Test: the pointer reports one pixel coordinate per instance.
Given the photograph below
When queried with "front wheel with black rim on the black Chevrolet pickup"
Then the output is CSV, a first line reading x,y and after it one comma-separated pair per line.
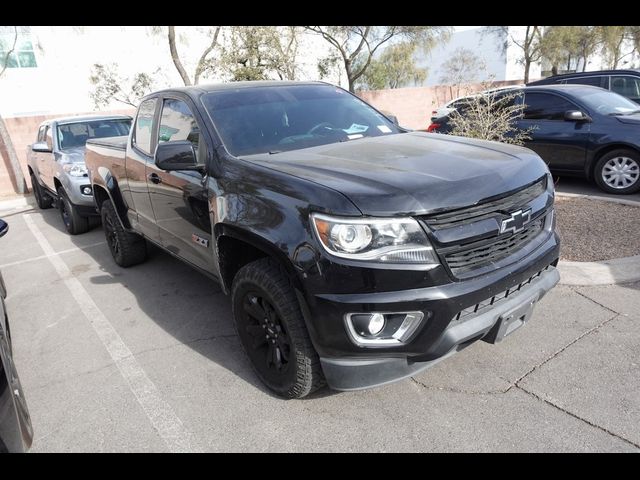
x,y
272,331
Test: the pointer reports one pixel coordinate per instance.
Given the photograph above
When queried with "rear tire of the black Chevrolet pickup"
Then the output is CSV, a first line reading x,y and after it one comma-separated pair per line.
x,y
127,248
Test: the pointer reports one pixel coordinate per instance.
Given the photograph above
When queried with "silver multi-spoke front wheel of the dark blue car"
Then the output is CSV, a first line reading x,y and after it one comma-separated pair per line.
x,y
618,172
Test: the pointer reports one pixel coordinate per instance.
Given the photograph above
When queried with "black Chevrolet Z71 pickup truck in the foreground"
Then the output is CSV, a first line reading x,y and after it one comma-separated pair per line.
x,y
356,253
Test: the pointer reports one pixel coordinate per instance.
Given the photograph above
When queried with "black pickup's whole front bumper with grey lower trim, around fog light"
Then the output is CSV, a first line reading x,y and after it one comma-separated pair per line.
x,y
348,366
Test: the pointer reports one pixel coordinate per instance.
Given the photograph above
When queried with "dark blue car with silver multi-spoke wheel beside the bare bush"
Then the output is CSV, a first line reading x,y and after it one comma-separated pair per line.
x,y
584,131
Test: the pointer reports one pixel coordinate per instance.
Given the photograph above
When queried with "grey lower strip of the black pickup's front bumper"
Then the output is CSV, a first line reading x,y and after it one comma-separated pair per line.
x,y
357,373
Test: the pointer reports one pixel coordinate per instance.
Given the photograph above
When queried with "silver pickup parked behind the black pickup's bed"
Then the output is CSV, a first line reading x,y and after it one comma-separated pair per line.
x,y
57,170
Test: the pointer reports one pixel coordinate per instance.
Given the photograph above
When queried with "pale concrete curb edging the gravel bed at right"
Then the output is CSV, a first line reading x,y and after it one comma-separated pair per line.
x,y
607,272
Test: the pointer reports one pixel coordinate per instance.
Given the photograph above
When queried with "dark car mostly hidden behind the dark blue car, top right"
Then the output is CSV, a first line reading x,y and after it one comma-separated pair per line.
x,y
623,82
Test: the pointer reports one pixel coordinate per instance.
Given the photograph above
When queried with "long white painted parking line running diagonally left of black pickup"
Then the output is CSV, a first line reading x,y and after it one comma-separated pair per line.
x,y
162,417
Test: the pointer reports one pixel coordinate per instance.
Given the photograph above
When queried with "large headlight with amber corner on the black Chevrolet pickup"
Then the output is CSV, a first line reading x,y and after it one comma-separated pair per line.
x,y
381,240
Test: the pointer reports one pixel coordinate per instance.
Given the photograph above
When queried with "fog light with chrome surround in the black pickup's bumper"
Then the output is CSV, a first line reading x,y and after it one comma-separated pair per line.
x,y
382,329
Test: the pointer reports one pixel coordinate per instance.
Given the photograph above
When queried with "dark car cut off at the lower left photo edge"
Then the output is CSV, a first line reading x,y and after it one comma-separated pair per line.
x,y
16,432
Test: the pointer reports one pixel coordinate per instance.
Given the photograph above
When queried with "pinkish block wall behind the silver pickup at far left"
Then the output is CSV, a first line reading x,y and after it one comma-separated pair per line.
x,y
23,131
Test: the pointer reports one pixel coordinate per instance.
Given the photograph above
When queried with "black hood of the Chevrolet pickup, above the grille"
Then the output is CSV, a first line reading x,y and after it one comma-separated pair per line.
x,y
411,173
